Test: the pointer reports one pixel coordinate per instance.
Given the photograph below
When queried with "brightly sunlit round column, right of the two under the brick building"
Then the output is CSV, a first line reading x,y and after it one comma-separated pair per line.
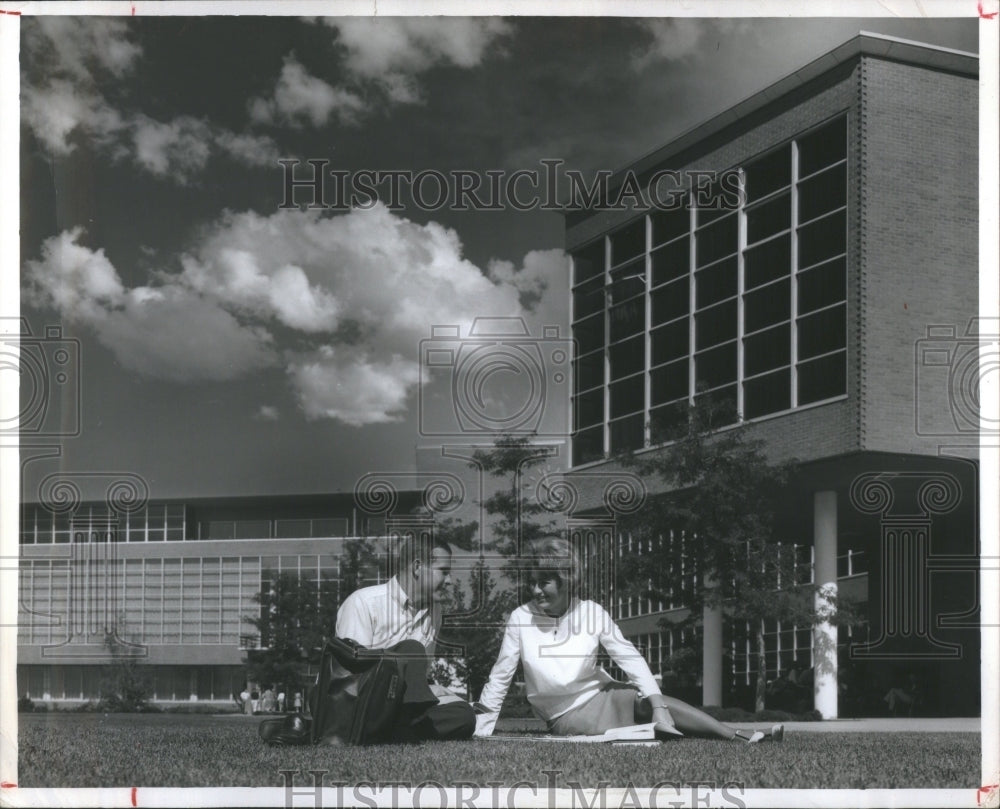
x,y
825,633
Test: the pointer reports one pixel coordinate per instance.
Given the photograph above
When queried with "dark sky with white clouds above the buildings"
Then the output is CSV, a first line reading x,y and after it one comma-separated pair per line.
x,y
228,346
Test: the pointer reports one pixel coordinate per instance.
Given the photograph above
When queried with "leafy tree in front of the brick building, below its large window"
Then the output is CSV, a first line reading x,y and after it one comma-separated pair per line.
x,y
713,536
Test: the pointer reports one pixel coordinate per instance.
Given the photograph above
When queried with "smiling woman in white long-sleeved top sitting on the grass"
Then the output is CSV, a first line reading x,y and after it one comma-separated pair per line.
x,y
556,637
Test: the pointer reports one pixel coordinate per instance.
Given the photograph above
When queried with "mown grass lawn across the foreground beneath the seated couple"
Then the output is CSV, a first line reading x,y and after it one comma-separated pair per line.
x,y
163,750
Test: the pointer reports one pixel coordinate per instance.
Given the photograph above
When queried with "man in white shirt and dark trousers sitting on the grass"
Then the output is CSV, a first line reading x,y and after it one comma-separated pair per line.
x,y
401,617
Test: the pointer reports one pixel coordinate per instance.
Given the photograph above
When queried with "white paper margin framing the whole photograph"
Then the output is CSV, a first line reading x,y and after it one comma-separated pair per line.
x,y
989,291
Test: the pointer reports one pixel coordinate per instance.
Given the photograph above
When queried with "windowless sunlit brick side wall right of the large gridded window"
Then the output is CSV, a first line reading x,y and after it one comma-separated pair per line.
x,y
919,256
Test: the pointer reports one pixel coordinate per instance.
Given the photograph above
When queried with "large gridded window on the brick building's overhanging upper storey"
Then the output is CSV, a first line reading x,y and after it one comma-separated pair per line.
x,y
745,303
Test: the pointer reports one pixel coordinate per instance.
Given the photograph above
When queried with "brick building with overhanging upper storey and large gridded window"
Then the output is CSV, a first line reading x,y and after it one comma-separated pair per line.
x,y
830,299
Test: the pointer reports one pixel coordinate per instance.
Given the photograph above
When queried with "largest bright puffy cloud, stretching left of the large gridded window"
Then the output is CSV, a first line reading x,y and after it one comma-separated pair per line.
x,y
342,301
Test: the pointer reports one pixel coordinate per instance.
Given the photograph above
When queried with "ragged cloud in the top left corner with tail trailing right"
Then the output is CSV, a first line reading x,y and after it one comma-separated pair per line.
x,y
69,61
